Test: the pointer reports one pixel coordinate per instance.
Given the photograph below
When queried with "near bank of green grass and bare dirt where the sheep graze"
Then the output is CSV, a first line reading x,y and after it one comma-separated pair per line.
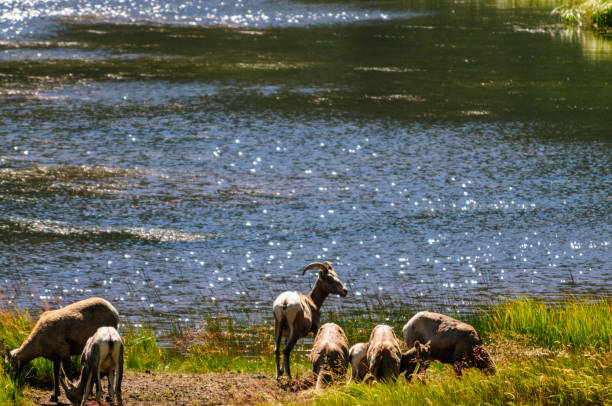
x,y
545,354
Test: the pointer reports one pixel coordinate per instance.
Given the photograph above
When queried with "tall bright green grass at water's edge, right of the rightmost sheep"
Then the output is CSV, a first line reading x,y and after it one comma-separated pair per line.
x,y
576,323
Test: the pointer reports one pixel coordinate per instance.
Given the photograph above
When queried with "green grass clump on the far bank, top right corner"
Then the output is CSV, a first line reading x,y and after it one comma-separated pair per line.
x,y
596,14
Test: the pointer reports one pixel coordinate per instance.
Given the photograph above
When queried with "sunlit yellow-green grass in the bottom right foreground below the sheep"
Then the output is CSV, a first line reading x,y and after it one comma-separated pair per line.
x,y
541,381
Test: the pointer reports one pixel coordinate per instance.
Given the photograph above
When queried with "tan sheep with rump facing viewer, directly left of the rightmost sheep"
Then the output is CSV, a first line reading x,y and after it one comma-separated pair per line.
x,y
383,354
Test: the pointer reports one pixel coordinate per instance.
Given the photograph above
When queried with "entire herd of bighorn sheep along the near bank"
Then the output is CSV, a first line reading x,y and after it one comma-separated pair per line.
x,y
89,328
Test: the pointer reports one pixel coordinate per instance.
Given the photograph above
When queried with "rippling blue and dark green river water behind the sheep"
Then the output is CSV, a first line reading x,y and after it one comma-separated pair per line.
x,y
186,159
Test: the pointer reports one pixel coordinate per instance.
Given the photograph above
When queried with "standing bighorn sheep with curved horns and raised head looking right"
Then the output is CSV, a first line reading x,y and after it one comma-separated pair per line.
x,y
296,314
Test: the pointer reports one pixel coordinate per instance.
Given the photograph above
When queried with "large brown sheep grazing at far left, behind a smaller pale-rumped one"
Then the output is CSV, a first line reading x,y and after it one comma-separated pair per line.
x,y
60,333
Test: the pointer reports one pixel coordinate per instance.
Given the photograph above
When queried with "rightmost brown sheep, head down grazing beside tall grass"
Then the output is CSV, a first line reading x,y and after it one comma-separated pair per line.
x,y
447,340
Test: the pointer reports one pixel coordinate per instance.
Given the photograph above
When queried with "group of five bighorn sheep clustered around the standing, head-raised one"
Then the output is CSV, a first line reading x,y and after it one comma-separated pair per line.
x,y
429,336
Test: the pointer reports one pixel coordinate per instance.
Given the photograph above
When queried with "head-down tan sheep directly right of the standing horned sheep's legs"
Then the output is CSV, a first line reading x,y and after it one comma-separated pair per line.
x,y
329,354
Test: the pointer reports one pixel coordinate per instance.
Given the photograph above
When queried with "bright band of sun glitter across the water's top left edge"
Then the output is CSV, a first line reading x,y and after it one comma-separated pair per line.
x,y
28,18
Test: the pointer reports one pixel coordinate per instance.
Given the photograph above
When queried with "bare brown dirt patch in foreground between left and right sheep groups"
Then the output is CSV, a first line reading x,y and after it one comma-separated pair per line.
x,y
184,389
